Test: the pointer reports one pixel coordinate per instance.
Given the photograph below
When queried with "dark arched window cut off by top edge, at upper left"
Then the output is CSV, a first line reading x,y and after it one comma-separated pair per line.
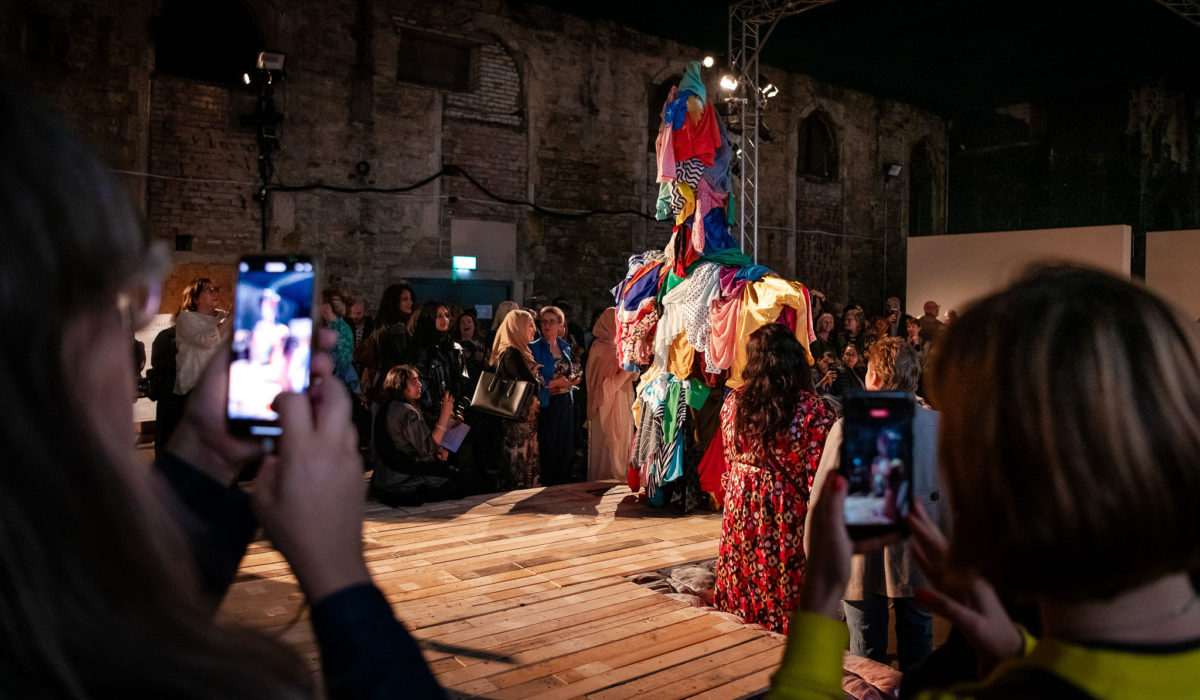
x,y
215,41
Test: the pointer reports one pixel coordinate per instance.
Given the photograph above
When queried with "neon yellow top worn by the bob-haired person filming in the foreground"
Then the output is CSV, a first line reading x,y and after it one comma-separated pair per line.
x,y
813,666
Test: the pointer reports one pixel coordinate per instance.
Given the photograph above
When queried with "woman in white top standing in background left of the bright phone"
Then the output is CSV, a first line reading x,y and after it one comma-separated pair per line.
x,y
200,331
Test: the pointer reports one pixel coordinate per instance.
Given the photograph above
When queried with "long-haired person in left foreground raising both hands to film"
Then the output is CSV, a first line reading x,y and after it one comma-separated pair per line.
x,y
111,571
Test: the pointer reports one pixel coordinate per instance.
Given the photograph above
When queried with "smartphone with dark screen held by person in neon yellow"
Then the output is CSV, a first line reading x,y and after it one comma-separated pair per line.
x,y
877,462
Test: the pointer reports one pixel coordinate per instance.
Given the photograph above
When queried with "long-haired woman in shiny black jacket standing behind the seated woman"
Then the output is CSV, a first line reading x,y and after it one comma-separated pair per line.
x,y
440,361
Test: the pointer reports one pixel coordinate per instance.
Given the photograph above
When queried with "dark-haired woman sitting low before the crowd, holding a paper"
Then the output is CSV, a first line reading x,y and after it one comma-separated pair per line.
x,y
410,470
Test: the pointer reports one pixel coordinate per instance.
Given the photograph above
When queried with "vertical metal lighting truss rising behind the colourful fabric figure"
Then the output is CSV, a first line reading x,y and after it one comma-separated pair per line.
x,y
752,23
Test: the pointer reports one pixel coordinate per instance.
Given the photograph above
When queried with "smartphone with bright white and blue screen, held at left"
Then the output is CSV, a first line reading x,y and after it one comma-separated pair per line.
x,y
273,339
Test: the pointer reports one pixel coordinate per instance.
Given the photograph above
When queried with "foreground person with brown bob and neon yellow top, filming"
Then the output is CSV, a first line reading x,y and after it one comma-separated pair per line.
x,y
1079,499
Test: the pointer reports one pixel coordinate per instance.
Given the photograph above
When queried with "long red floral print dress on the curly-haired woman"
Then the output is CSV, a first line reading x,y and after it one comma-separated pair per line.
x,y
760,566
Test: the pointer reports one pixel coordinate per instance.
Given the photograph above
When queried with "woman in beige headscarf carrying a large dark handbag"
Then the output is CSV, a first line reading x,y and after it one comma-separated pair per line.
x,y
513,360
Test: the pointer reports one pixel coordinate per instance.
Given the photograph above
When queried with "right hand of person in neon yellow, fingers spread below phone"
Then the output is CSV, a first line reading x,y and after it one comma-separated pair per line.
x,y
968,602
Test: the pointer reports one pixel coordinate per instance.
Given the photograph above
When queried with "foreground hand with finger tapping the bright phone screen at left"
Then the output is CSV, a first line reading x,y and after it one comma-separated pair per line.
x,y
310,495
